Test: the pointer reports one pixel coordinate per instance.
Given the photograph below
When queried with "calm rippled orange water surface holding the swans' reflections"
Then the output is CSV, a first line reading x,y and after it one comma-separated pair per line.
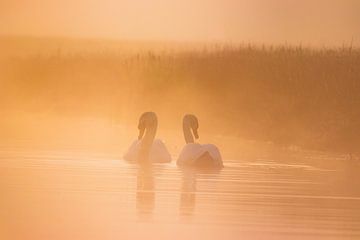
x,y
82,194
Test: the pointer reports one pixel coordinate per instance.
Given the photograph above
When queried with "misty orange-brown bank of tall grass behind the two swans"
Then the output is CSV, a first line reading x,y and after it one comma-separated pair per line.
x,y
285,94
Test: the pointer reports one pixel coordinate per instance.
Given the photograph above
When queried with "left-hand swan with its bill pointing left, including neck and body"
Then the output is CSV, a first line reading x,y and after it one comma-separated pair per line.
x,y
146,149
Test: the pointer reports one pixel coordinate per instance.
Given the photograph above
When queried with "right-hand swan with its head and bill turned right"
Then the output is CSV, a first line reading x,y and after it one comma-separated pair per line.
x,y
195,154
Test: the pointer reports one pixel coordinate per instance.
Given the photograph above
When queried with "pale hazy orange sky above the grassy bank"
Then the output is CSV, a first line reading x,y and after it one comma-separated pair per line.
x,y
324,22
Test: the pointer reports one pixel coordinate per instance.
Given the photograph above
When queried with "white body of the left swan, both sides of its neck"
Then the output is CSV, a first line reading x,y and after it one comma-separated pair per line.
x,y
158,152
